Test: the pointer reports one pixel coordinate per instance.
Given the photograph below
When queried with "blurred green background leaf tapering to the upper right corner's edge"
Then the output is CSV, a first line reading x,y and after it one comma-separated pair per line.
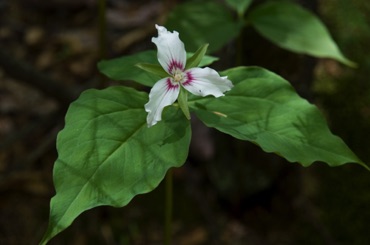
x,y
291,27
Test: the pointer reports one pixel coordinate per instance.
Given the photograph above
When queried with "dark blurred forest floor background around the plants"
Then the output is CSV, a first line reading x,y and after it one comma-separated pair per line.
x,y
228,192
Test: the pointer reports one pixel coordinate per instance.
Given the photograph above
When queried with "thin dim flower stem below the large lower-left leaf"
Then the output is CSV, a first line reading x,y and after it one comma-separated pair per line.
x,y
168,208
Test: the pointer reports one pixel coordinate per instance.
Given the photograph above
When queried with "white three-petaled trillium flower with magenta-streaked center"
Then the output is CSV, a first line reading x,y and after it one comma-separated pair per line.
x,y
198,81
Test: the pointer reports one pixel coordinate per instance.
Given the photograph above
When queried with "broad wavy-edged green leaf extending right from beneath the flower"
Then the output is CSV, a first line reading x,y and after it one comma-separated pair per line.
x,y
263,108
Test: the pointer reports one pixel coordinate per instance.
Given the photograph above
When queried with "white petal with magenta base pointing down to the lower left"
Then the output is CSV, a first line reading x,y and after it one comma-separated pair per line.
x,y
162,94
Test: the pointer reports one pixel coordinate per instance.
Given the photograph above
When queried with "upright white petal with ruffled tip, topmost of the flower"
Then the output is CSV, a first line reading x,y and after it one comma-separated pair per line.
x,y
171,50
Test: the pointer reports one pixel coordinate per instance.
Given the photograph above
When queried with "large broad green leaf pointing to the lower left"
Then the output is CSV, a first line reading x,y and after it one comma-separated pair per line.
x,y
107,154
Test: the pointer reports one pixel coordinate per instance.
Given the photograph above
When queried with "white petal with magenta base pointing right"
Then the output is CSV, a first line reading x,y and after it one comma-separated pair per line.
x,y
206,81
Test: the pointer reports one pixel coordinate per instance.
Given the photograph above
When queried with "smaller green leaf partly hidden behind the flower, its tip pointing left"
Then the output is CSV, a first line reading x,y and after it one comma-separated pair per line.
x,y
125,67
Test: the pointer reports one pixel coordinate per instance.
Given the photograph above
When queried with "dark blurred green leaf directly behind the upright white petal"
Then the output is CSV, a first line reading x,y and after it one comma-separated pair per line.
x,y
200,22
